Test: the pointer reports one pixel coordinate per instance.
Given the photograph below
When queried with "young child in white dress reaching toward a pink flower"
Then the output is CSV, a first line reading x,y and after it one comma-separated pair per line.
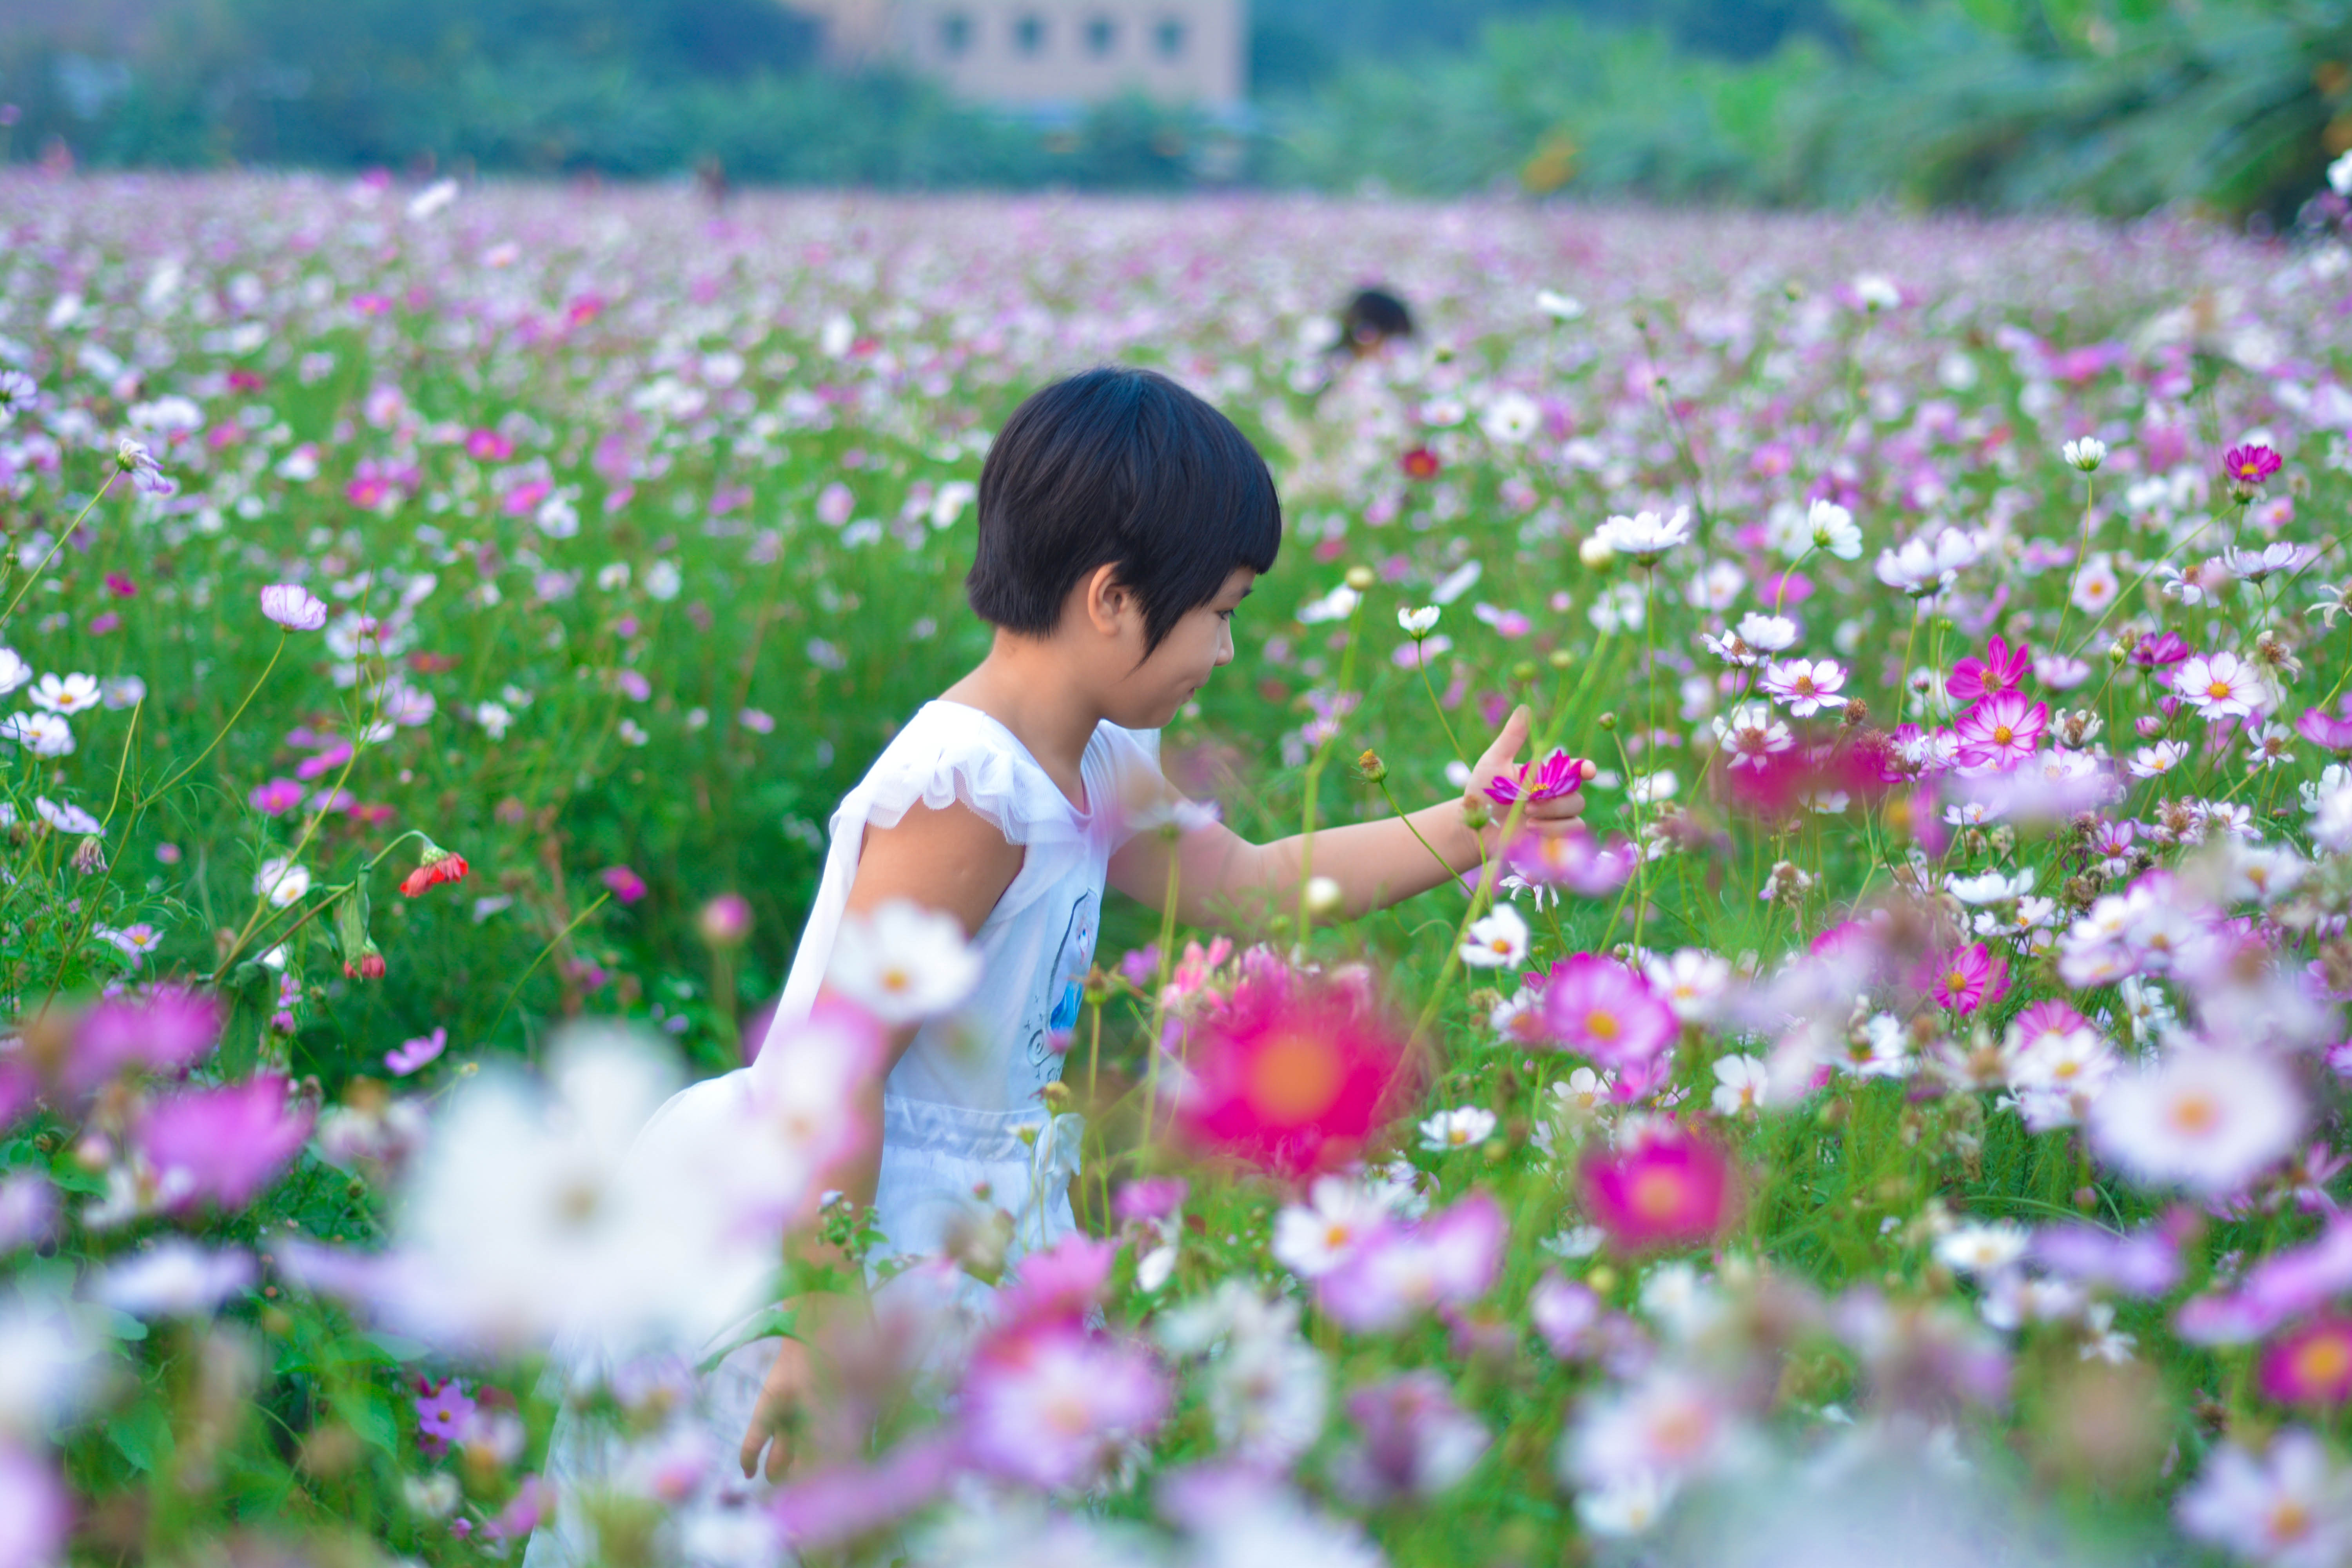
x,y
1121,525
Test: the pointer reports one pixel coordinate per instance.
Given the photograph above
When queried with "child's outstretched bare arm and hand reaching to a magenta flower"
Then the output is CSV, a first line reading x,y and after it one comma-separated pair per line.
x,y
1224,878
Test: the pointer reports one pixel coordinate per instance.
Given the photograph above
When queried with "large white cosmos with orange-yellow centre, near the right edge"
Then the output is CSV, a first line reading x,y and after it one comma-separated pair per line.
x,y
2198,1118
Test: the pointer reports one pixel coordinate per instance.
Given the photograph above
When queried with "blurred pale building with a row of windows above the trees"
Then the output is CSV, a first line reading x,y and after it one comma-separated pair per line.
x,y
1050,53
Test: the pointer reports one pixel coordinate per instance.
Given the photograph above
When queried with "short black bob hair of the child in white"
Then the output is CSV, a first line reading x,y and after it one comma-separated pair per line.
x,y
1118,469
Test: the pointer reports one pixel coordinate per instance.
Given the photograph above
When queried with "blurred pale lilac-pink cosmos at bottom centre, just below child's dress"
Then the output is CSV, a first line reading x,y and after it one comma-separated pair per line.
x,y
1057,1407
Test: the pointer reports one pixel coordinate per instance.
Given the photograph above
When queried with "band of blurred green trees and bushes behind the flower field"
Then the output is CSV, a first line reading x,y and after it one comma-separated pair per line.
x,y
1996,105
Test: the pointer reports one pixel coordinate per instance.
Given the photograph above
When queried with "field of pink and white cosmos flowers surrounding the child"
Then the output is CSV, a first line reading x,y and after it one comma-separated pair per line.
x,y
441,622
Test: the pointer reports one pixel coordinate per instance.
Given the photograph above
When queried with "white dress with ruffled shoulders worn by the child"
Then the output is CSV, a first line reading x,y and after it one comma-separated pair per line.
x,y
970,1085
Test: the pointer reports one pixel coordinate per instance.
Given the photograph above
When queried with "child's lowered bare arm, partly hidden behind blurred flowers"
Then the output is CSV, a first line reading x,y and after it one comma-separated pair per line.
x,y
951,862
